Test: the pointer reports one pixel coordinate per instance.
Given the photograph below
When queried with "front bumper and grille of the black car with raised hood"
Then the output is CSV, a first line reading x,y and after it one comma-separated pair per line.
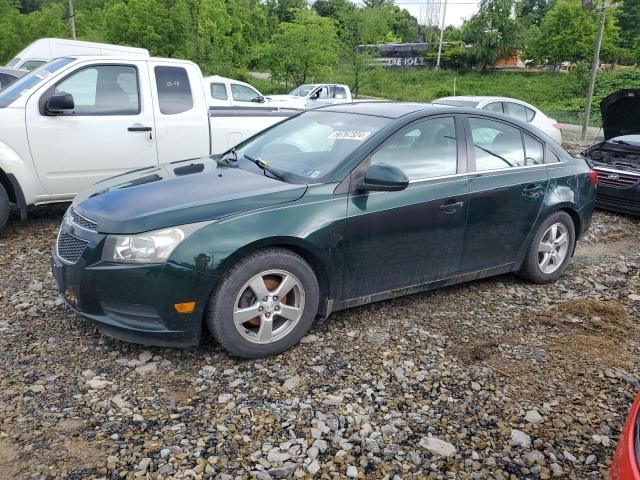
x,y
618,191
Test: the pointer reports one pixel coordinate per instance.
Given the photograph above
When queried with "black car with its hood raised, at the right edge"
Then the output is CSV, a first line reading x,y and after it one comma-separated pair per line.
x,y
617,158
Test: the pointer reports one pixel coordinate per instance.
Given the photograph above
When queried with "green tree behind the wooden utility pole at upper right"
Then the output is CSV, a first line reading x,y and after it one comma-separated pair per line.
x,y
568,34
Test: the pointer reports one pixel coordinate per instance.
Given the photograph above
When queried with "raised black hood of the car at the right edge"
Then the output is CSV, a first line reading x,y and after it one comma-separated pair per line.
x,y
621,113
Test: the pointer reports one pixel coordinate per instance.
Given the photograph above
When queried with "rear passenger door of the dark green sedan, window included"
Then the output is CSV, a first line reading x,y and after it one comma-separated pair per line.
x,y
507,182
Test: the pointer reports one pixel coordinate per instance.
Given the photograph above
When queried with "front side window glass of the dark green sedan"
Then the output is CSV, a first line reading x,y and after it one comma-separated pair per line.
x,y
425,149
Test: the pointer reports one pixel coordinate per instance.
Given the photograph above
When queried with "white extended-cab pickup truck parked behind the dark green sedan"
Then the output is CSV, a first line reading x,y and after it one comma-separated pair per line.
x,y
77,120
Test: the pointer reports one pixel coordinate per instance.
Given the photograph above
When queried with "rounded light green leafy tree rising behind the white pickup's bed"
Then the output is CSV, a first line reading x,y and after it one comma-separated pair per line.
x,y
301,49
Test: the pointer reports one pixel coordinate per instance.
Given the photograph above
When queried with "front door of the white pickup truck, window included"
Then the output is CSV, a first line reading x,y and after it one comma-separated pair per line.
x,y
109,131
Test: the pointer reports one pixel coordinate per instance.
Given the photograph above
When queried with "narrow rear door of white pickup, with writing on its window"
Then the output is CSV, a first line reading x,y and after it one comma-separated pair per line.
x,y
181,111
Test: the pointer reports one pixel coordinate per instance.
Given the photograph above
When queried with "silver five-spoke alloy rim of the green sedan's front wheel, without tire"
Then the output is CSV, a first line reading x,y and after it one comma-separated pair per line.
x,y
269,306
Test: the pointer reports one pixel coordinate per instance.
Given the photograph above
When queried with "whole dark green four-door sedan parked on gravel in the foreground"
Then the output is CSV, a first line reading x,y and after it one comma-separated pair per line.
x,y
333,208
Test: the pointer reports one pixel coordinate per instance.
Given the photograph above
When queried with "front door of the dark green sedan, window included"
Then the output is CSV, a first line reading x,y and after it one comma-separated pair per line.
x,y
402,239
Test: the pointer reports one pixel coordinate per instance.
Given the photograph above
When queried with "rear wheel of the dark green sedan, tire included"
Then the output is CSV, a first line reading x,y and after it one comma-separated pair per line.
x,y
550,249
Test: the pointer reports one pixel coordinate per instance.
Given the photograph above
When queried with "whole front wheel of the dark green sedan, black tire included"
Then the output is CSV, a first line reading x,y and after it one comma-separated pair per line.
x,y
264,304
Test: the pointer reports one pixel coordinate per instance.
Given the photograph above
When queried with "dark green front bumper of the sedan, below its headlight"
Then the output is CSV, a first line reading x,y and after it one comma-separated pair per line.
x,y
135,303
